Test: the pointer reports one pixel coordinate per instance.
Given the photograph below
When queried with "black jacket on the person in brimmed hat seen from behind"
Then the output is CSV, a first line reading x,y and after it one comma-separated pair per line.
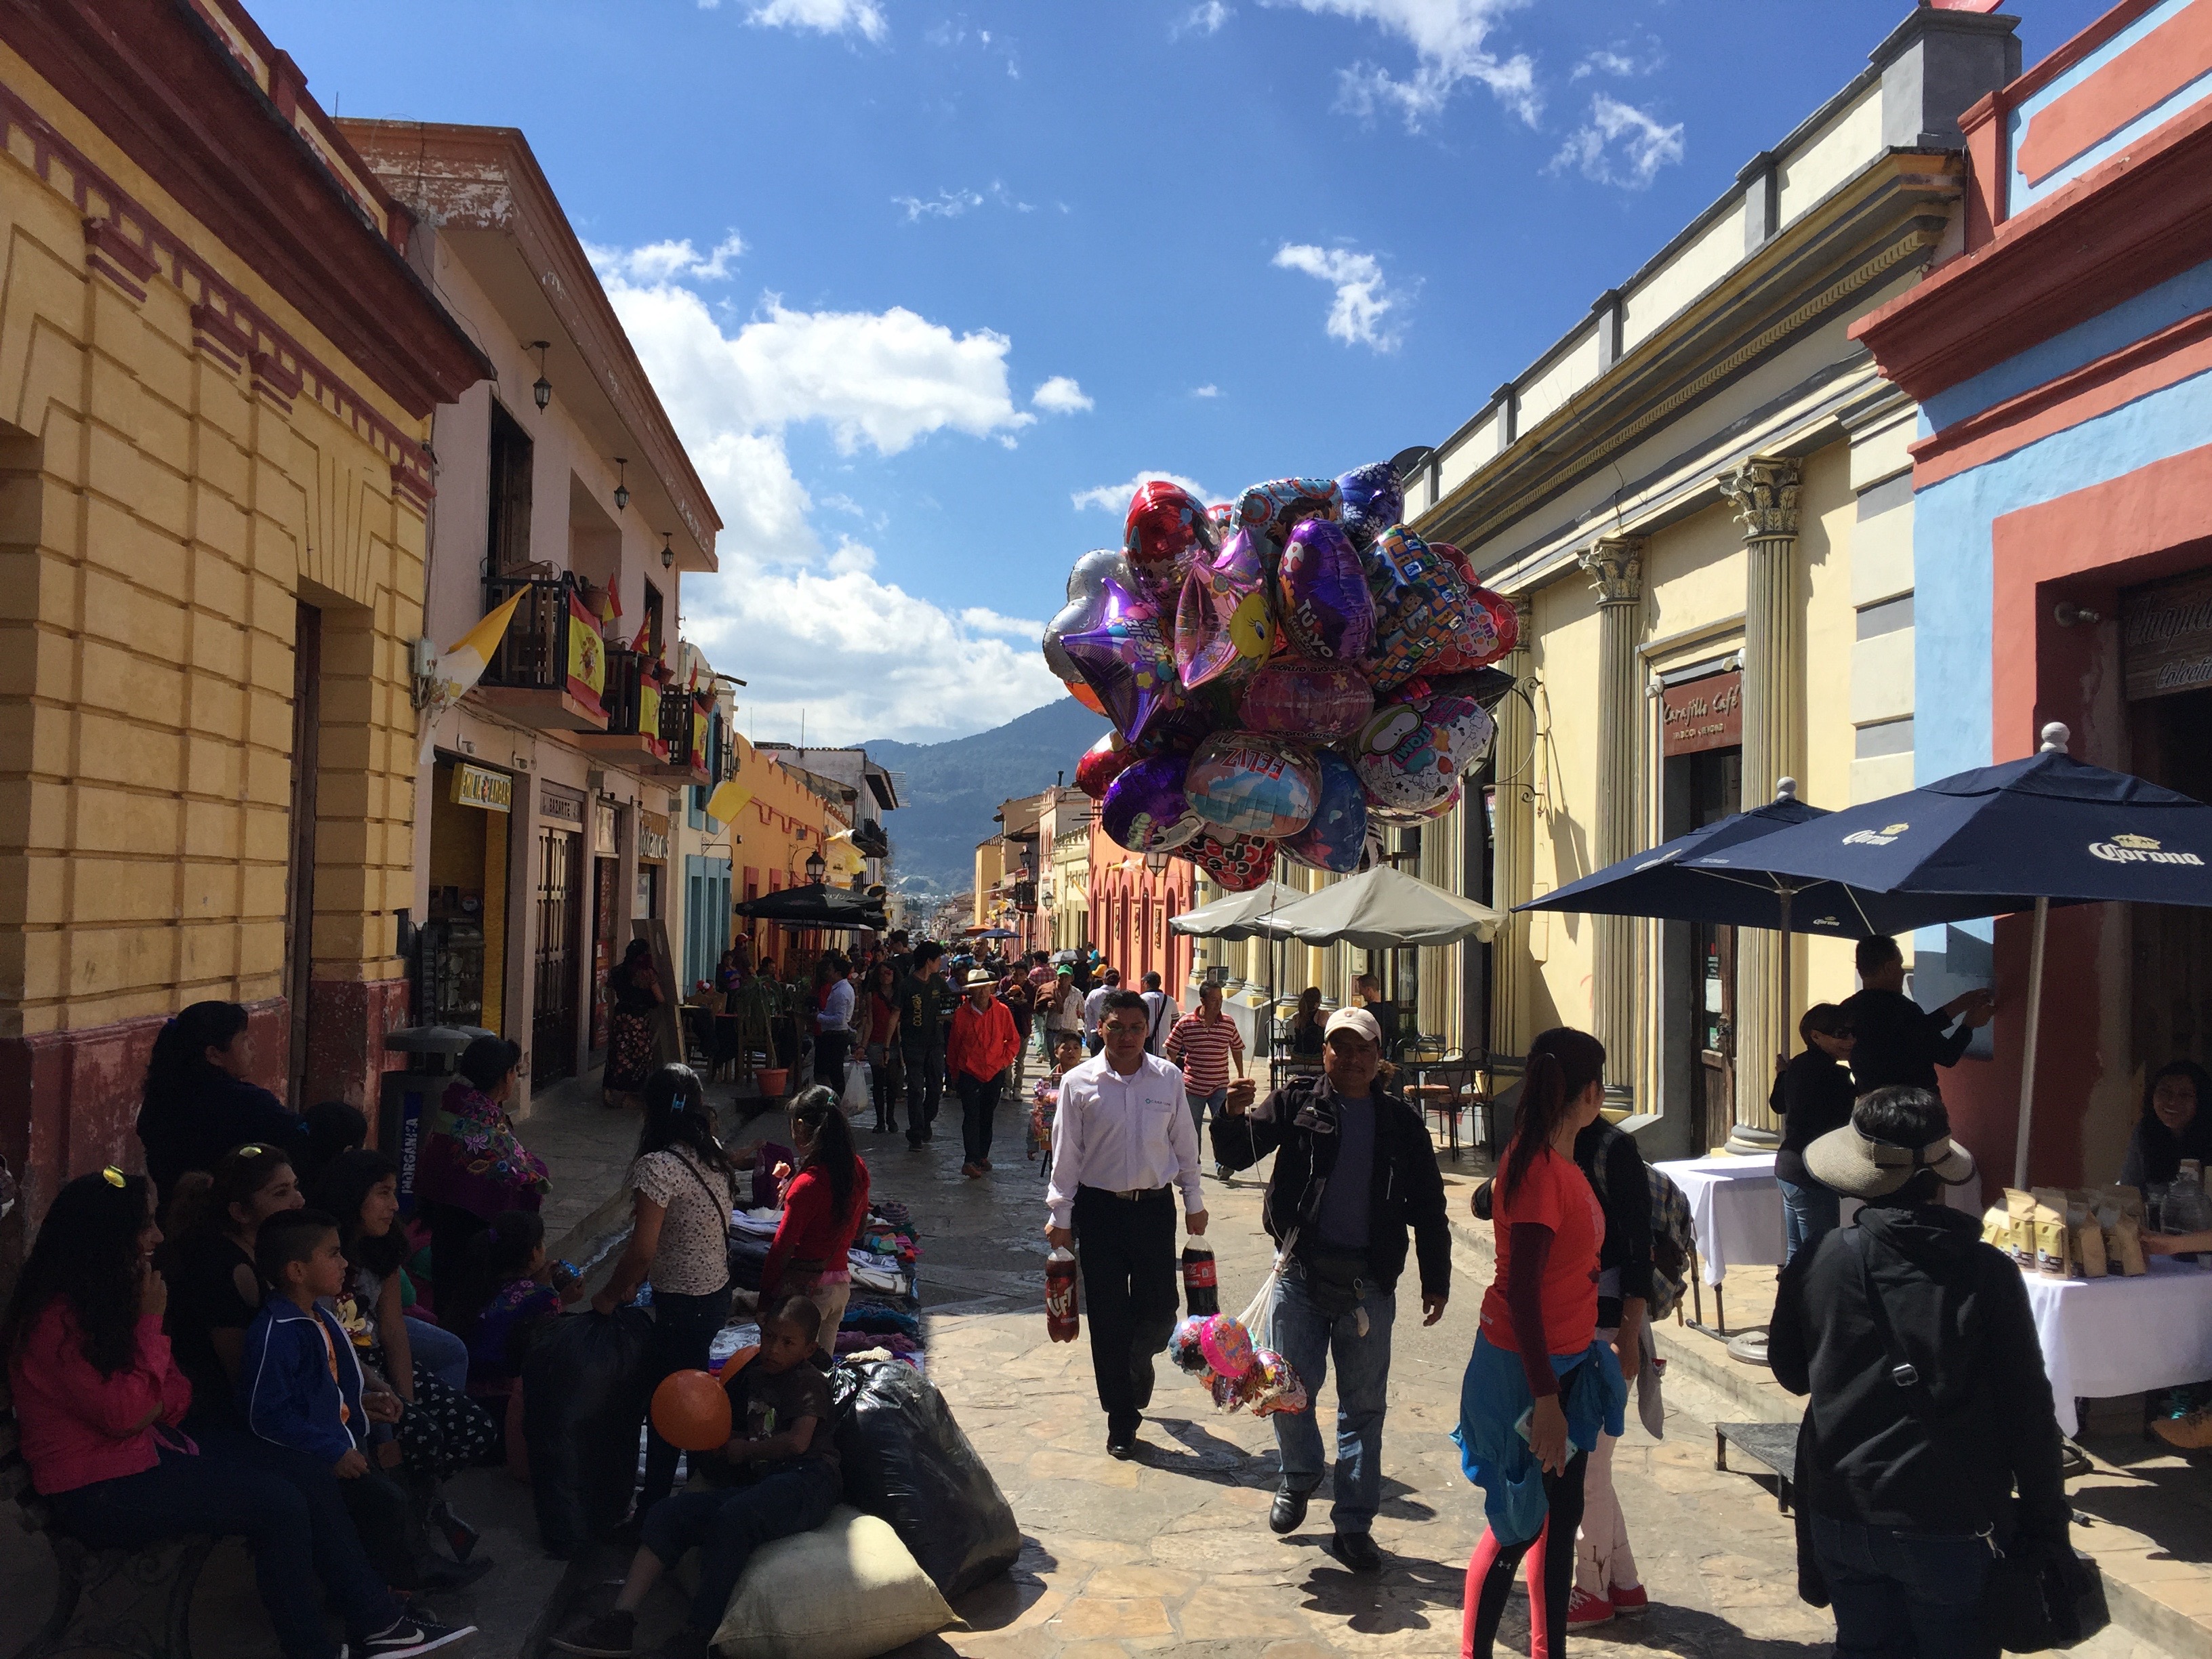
x,y
1963,1319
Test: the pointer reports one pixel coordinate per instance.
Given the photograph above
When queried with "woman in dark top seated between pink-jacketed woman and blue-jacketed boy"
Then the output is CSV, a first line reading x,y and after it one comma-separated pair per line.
x,y
209,1262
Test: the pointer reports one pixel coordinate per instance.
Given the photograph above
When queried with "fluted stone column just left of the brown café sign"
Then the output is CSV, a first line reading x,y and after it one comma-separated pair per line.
x,y
1616,565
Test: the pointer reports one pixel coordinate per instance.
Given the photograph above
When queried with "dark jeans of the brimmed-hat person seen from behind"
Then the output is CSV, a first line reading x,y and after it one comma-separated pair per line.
x,y
1903,1596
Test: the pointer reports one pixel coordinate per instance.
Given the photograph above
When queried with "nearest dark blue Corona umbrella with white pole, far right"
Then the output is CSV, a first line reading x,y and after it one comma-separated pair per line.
x,y
2036,833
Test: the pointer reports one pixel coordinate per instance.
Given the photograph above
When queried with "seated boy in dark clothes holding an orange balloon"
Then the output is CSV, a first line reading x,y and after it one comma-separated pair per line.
x,y
778,1477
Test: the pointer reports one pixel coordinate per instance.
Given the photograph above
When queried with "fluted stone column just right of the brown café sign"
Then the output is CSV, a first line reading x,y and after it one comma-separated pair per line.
x,y
1766,497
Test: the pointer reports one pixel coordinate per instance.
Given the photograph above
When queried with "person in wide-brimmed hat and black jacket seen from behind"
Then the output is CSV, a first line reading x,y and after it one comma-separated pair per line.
x,y
1901,1483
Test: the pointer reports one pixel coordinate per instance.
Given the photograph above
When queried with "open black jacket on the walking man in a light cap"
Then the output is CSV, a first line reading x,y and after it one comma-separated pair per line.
x,y
1297,1123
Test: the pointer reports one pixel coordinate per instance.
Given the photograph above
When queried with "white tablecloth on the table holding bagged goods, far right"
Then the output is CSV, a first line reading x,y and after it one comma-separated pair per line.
x,y
2107,1337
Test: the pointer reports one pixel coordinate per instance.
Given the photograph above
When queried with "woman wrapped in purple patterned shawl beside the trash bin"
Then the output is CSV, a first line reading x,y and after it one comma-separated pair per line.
x,y
472,1167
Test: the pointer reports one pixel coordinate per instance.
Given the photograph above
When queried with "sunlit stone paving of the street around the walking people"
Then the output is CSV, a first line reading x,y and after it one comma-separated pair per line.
x,y
1171,1552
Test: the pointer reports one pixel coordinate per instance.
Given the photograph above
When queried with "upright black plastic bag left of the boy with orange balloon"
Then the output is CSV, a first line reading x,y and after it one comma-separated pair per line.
x,y
583,1404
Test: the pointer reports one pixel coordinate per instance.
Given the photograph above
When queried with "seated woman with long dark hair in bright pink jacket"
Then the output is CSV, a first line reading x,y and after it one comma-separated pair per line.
x,y
101,1401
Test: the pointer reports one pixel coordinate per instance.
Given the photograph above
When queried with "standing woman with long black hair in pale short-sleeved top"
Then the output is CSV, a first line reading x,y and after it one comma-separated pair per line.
x,y
685,1191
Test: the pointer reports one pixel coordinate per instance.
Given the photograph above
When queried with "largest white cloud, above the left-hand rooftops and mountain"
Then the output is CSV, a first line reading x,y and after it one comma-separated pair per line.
x,y
822,629
